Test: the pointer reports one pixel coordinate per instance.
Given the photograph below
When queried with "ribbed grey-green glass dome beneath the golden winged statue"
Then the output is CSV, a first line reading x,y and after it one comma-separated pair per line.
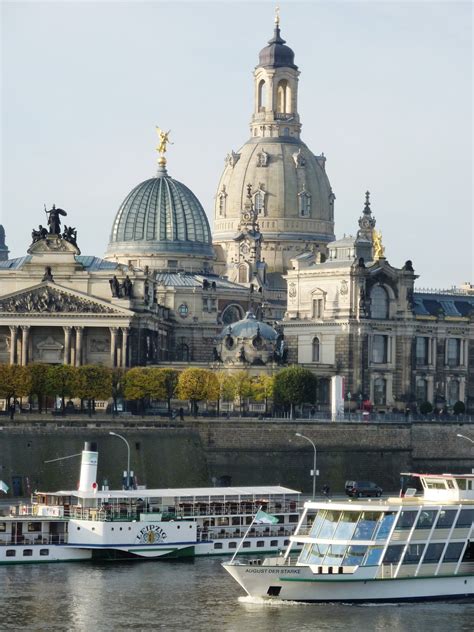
x,y
161,216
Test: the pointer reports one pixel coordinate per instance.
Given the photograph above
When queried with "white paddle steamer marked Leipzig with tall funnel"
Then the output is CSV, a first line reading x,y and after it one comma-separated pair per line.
x,y
144,523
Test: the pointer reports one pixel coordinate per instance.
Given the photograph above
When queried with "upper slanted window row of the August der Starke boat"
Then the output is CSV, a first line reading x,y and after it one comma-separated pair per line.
x,y
374,525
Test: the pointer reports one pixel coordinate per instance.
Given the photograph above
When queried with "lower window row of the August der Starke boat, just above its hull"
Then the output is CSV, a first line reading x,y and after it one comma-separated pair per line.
x,y
360,555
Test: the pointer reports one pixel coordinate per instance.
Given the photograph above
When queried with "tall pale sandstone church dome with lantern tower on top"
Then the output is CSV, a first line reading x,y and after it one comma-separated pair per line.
x,y
290,191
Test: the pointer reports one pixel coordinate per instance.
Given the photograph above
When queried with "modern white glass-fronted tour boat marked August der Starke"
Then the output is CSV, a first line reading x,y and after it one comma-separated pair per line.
x,y
416,547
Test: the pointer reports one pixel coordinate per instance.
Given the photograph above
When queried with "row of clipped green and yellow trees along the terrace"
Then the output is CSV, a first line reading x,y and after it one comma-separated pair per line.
x,y
287,388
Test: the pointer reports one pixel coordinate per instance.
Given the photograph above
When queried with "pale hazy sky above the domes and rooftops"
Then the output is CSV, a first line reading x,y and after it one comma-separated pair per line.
x,y
385,92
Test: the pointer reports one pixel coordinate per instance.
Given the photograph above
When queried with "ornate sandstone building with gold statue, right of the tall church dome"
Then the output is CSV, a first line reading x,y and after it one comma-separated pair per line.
x,y
353,314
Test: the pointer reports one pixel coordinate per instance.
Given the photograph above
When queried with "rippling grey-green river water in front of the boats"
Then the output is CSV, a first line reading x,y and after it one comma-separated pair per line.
x,y
195,594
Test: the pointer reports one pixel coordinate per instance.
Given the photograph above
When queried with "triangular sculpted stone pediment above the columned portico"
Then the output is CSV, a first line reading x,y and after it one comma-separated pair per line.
x,y
50,298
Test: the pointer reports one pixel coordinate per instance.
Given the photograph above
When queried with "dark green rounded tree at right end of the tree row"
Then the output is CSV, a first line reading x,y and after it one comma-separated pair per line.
x,y
294,386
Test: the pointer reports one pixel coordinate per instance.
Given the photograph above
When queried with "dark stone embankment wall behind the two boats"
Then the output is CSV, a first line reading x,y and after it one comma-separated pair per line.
x,y
202,452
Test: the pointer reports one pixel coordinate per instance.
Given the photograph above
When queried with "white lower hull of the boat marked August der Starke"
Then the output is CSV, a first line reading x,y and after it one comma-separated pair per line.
x,y
298,583
